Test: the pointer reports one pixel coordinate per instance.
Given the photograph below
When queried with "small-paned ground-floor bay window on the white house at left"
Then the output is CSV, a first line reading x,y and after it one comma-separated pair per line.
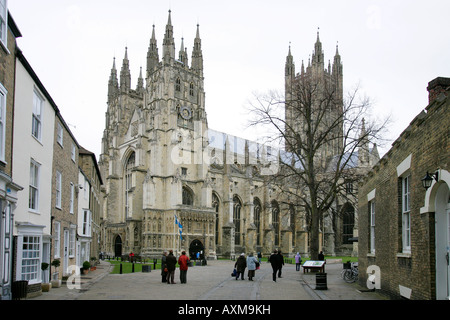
x,y
31,252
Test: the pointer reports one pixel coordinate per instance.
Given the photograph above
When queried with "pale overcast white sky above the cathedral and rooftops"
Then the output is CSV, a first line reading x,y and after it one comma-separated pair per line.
x,y
392,49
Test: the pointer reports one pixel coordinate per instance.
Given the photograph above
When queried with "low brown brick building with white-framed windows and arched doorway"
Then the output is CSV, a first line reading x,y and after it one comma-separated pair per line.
x,y
405,238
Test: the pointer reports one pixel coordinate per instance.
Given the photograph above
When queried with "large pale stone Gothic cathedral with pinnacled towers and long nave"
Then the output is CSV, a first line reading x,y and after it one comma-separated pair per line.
x,y
172,183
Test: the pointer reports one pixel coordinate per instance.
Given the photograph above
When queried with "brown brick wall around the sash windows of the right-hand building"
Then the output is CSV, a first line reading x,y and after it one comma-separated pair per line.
x,y
426,140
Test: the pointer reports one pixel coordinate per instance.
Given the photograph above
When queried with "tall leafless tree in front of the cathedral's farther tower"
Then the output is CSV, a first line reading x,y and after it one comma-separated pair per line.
x,y
319,134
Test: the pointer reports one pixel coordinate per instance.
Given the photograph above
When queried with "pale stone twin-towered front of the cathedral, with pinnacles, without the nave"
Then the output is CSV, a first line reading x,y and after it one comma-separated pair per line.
x,y
151,152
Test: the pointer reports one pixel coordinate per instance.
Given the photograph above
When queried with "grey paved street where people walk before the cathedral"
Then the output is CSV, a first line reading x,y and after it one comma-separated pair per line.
x,y
211,282
